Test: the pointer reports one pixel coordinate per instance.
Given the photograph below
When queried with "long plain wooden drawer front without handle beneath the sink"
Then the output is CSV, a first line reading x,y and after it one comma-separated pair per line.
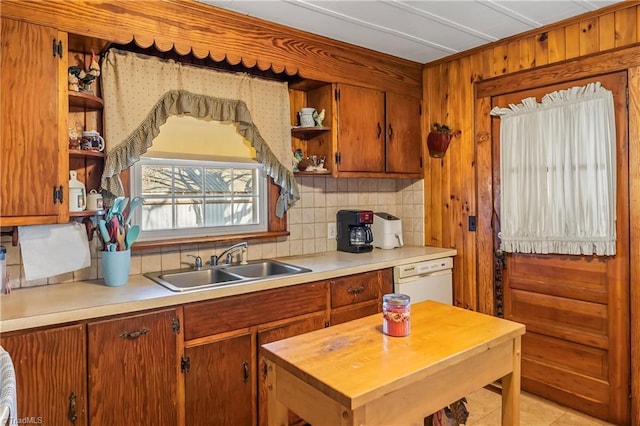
x,y
235,312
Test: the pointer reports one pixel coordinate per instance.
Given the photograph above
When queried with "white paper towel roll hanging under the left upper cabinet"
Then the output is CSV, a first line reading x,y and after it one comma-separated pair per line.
x,y
49,250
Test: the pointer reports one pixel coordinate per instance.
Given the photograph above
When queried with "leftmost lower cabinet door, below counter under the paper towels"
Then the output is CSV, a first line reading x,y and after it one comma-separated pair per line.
x,y
51,375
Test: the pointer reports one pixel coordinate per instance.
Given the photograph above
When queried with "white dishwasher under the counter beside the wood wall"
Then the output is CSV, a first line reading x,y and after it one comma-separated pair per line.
x,y
428,280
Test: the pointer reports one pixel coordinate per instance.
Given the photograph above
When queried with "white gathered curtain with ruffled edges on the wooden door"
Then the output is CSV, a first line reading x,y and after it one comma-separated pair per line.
x,y
558,173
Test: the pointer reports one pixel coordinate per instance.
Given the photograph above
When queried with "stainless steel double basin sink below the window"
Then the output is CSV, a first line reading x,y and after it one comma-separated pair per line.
x,y
224,275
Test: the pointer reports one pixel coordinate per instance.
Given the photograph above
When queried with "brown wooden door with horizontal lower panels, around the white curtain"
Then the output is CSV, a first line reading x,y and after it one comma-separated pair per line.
x,y
576,308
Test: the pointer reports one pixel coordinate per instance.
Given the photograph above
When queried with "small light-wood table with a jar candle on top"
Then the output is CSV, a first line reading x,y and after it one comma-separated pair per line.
x,y
353,374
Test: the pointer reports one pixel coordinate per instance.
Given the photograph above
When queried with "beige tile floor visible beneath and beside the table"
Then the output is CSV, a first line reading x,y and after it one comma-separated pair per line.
x,y
484,410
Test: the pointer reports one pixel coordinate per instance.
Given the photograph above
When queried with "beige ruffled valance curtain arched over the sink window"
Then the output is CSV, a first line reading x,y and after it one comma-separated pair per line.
x,y
141,92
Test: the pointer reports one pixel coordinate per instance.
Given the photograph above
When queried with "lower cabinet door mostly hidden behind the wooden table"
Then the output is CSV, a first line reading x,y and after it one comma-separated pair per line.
x,y
284,331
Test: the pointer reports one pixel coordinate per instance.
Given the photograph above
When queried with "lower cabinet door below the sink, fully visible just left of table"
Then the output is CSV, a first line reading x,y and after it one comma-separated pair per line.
x,y
219,383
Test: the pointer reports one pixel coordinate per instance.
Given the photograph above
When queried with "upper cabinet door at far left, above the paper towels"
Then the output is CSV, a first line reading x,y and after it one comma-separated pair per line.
x,y
33,158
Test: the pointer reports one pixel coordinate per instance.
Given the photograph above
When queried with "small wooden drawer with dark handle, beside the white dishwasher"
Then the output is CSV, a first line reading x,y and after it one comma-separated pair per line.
x,y
355,289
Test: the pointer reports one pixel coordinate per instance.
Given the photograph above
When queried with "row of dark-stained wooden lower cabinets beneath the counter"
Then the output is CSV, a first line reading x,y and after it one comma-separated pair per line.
x,y
126,370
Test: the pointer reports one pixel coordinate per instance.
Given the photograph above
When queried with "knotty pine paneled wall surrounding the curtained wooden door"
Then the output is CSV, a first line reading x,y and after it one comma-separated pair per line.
x,y
453,191
